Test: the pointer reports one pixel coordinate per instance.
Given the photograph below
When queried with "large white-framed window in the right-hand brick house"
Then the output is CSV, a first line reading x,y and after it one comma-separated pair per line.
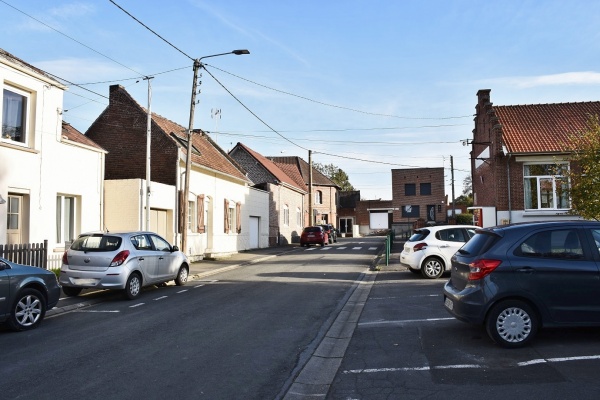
x,y
545,186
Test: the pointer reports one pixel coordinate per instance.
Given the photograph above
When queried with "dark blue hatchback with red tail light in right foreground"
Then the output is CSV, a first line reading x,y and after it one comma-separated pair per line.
x,y
517,278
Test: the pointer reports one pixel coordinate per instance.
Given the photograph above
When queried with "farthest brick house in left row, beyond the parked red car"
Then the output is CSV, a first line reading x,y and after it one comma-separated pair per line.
x,y
325,191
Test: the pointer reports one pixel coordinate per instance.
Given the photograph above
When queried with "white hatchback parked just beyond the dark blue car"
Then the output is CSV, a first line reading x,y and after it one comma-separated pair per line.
x,y
430,249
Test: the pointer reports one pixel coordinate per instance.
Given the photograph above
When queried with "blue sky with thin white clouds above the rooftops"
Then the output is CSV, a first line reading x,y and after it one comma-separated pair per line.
x,y
368,86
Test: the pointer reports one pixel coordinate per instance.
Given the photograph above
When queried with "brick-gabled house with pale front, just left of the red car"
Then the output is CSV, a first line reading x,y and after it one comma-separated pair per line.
x,y
286,197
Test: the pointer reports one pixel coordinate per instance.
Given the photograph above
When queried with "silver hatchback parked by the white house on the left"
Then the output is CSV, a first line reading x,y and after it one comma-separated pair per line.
x,y
121,260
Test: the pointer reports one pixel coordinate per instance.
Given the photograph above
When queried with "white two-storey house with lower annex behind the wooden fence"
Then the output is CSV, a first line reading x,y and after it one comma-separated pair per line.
x,y
51,175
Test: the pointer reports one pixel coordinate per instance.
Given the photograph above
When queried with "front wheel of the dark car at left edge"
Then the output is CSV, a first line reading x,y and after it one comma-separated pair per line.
x,y
28,310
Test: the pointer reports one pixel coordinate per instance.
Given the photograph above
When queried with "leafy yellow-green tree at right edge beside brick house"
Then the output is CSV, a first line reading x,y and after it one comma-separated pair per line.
x,y
584,173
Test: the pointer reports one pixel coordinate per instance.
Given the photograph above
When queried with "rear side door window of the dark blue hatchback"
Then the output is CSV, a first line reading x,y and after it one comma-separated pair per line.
x,y
562,243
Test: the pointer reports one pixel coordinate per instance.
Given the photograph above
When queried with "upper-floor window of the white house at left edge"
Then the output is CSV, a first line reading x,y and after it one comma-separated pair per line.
x,y
14,115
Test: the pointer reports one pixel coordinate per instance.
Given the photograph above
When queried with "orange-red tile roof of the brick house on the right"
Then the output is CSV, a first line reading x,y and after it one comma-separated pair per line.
x,y
542,128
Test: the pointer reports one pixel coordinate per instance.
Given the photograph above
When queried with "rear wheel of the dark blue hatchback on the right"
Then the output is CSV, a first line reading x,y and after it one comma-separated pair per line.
x,y
512,323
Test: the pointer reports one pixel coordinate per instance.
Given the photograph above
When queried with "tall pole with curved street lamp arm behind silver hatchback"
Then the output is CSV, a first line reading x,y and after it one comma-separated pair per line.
x,y
188,160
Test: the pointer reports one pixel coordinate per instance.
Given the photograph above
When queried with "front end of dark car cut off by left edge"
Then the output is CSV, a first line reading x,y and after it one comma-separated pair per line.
x,y
26,293
